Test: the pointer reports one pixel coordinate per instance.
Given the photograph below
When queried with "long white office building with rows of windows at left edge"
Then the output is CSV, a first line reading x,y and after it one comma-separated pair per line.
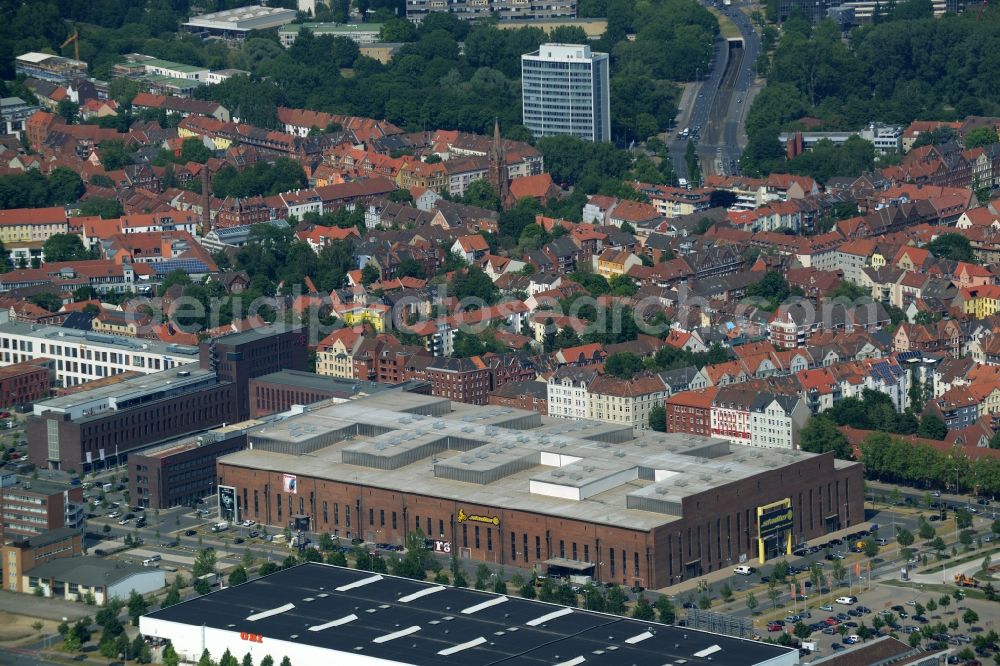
x,y
81,356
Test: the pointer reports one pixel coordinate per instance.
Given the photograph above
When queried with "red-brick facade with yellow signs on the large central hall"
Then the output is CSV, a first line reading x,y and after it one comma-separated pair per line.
x,y
720,525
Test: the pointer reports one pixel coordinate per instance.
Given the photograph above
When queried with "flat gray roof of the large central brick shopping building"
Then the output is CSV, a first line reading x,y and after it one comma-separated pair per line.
x,y
505,458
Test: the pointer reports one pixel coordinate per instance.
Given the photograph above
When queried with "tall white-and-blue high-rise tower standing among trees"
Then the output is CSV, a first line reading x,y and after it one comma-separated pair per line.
x,y
565,90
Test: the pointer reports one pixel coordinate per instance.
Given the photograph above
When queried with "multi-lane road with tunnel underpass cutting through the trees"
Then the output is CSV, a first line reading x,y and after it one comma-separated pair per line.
x,y
720,107
